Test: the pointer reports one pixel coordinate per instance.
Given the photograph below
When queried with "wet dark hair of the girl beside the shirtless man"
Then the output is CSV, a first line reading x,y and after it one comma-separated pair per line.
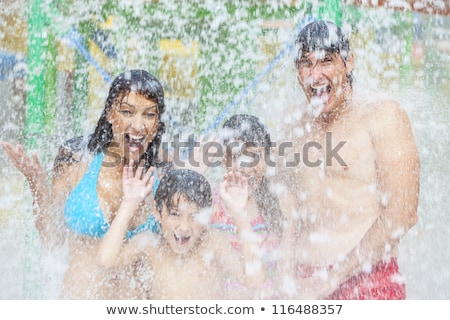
x,y
248,129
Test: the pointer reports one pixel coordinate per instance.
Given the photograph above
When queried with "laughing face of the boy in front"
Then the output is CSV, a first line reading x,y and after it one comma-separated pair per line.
x,y
182,225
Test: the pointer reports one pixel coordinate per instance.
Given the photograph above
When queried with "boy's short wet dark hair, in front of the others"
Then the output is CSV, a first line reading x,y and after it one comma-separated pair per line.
x,y
193,185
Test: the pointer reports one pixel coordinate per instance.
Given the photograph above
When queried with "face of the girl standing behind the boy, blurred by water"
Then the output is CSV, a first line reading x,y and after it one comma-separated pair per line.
x,y
248,160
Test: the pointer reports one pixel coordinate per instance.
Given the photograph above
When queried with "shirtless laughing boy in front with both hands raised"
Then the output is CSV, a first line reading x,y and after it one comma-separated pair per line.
x,y
187,260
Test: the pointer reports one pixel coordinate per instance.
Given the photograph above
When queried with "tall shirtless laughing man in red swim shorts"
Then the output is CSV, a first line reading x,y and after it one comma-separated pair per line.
x,y
355,189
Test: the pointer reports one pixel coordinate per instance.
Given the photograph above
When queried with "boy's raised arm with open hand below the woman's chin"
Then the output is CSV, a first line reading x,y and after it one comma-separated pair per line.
x,y
135,188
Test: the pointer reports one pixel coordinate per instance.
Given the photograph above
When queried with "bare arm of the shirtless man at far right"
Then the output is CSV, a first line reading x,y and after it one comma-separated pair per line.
x,y
398,173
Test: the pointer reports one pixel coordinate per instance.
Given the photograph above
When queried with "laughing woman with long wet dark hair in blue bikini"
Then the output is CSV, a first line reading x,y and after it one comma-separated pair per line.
x,y
86,188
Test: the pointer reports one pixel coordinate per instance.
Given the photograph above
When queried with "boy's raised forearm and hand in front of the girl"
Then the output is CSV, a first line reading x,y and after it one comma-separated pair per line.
x,y
234,194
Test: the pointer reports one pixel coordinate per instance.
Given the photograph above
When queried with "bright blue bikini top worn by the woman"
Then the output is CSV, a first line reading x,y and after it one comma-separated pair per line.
x,y
82,210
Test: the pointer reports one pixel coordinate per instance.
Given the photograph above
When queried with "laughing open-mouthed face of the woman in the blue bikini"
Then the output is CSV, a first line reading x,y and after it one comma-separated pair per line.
x,y
134,122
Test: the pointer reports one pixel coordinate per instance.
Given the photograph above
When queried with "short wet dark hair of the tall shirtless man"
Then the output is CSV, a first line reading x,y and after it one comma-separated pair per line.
x,y
326,36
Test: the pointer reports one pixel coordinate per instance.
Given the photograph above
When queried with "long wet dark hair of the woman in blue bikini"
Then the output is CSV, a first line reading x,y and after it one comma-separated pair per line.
x,y
143,83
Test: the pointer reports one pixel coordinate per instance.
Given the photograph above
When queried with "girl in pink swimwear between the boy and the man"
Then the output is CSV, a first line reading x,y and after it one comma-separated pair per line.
x,y
247,152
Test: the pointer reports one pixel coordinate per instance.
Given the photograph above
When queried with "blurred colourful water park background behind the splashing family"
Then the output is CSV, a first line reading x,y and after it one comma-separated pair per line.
x,y
214,58
